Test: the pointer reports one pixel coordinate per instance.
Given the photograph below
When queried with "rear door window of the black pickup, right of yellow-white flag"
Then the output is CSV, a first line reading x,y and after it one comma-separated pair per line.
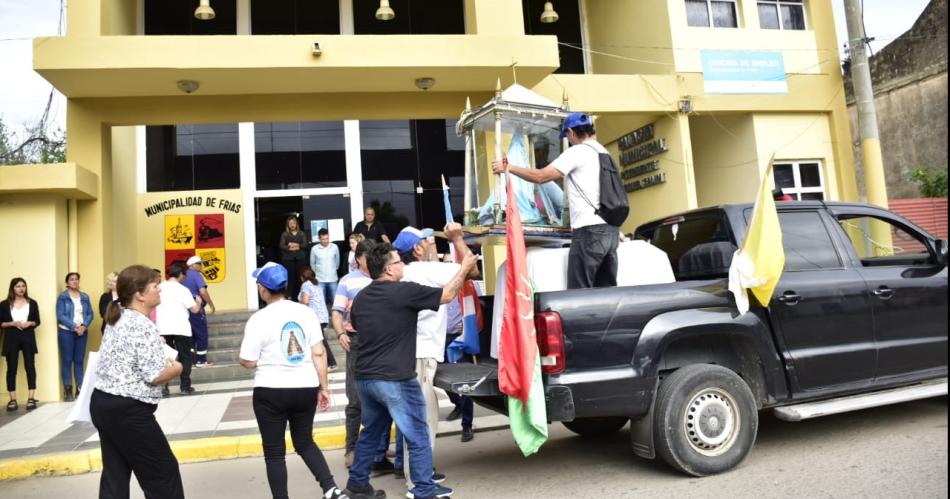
x,y
807,243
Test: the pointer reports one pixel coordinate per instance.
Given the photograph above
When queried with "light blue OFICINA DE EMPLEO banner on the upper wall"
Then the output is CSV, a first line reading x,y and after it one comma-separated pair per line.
x,y
743,72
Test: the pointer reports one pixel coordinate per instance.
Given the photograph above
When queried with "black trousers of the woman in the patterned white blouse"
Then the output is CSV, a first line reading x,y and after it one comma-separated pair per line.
x,y
132,442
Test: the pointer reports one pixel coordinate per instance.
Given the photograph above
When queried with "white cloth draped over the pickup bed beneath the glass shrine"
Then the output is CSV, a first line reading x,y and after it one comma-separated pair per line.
x,y
639,263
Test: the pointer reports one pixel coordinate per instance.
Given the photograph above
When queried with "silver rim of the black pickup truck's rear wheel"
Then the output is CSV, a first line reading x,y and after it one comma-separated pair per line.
x,y
711,422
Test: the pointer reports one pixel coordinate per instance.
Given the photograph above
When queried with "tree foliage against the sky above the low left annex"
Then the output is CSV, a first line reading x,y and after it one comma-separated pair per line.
x,y
36,144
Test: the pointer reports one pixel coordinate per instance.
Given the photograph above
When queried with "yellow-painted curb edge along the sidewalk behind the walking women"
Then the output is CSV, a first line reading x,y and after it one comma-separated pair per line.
x,y
186,451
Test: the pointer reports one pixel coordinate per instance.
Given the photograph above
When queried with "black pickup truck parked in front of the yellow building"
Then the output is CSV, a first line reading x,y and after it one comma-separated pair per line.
x,y
859,319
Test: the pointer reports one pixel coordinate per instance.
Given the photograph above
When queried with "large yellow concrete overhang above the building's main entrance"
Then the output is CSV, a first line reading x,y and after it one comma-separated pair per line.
x,y
132,66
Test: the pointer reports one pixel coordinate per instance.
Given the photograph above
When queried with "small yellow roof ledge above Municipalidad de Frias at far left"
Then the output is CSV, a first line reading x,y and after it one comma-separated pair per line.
x,y
67,180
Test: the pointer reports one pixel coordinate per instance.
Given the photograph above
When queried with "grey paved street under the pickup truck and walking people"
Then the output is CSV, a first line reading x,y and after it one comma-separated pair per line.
x,y
896,451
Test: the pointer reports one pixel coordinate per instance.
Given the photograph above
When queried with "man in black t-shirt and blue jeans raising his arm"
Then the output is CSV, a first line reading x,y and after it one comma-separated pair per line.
x,y
385,313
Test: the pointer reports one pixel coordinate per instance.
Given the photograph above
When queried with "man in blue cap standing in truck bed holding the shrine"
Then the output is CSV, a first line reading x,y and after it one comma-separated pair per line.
x,y
592,261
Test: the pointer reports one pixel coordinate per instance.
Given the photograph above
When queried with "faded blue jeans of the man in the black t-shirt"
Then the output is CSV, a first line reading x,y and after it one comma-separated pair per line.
x,y
403,402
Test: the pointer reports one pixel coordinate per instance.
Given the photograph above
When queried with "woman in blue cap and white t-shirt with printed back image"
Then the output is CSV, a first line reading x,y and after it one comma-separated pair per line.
x,y
284,342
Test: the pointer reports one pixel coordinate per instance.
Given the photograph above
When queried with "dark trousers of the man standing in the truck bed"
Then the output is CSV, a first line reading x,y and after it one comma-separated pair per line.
x,y
592,260
